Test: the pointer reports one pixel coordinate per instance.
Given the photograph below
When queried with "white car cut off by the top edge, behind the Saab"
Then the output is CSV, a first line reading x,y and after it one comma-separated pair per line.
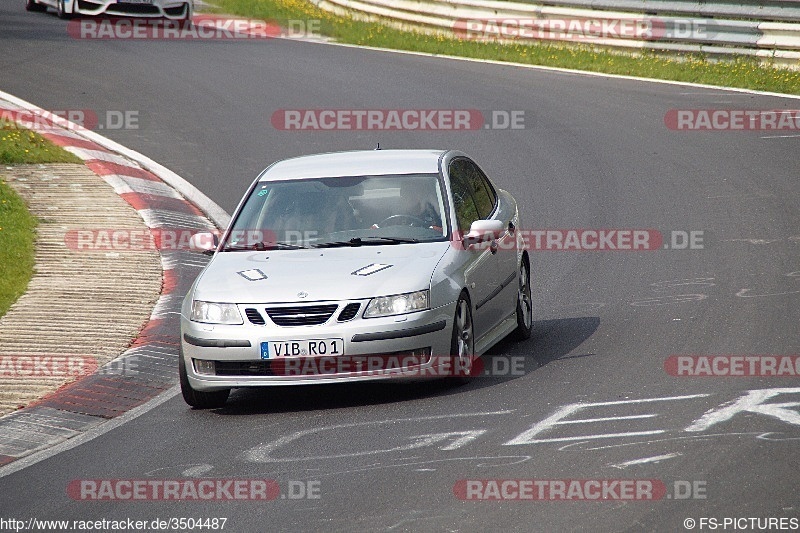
x,y
181,10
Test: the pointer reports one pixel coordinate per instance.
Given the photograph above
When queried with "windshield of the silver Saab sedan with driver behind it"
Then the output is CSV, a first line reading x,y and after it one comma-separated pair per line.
x,y
355,211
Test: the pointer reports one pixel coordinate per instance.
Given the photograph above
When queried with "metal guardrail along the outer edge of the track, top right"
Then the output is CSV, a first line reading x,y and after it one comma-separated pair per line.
x,y
767,30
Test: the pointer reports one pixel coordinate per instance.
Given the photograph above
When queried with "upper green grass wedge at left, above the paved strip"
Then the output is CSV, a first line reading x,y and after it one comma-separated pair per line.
x,y
20,146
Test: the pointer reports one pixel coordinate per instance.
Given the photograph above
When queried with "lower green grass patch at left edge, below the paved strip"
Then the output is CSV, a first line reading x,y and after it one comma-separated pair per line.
x,y
17,236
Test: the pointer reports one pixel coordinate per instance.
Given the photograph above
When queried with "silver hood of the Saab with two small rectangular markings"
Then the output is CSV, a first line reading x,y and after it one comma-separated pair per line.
x,y
350,273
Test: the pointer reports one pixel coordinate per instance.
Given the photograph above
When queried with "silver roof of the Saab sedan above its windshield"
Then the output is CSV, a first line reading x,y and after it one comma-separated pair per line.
x,y
355,163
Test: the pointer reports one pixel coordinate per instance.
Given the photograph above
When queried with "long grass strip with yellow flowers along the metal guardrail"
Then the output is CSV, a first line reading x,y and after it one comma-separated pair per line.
x,y
742,72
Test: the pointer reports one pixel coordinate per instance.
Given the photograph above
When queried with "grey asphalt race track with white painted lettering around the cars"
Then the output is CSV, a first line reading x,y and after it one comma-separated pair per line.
x,y
595,153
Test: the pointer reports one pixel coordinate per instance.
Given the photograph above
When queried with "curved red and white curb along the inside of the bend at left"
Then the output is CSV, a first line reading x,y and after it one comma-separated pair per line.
x,y
149,366
